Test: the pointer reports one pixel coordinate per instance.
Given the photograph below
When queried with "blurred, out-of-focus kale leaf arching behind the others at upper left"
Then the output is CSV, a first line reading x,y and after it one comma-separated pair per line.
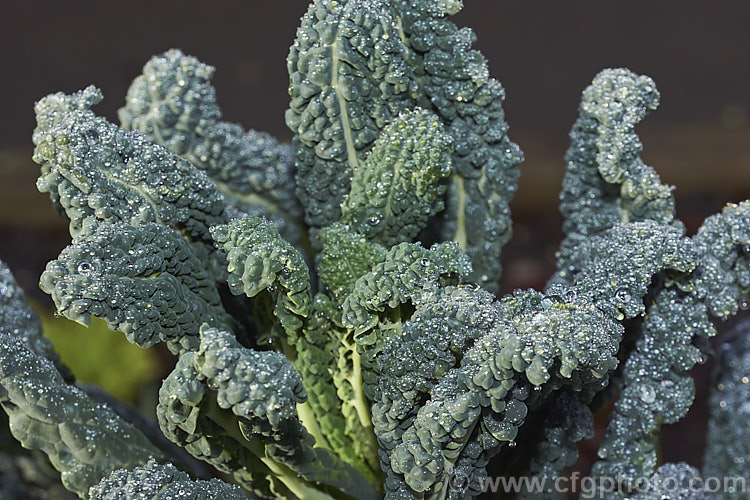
x,y
174,104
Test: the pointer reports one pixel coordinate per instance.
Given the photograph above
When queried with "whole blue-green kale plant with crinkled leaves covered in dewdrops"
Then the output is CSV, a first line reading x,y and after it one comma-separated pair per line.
x,y
331,303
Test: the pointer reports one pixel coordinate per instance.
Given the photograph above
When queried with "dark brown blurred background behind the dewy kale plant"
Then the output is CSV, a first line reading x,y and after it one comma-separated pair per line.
x,y
543,52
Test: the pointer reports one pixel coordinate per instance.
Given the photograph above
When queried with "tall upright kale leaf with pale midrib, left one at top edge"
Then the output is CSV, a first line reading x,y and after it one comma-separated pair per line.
x,y
348,78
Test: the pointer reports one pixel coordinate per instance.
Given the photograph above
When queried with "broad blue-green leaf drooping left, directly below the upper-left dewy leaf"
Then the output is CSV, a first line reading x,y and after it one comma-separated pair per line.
x,y
145,281
